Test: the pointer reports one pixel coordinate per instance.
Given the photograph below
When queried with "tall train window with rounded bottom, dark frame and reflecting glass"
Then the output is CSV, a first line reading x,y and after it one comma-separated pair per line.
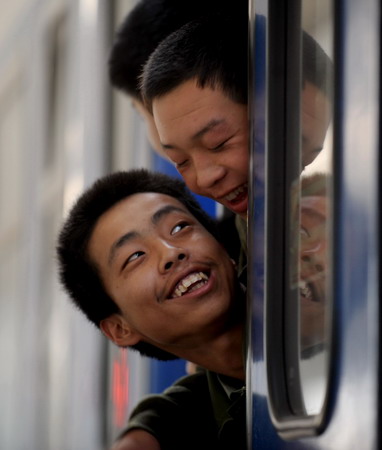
x,y
299,205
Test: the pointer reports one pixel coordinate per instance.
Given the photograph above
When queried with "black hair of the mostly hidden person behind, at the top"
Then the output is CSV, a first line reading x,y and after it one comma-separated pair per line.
x,y
144,27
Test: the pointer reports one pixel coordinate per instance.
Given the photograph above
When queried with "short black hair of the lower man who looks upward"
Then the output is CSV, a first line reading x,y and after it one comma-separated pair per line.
x,y
77,273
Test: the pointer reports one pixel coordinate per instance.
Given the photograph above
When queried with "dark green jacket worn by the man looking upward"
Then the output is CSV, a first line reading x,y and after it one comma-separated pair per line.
x,y
200,411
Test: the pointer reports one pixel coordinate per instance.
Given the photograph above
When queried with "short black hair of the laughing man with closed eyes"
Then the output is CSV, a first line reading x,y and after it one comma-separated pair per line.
x,y
212,49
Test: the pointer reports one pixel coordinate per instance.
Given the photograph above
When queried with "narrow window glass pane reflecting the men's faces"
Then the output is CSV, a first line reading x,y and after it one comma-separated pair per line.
x,y
311,210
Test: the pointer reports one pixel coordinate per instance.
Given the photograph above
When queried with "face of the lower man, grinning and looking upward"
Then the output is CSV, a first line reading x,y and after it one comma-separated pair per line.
x,y
171,279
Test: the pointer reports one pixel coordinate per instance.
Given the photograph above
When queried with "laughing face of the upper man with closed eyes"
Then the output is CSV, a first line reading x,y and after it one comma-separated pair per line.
x,y
206,135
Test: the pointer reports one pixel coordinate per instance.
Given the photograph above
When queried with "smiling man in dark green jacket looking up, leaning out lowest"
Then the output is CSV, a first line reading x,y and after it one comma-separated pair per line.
x,y
139,257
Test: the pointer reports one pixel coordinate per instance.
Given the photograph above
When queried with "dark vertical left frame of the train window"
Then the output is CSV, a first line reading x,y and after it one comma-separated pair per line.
x,y
283,135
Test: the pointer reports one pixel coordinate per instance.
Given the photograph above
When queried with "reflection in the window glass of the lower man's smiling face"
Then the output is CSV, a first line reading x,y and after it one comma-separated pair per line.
x,y
313,260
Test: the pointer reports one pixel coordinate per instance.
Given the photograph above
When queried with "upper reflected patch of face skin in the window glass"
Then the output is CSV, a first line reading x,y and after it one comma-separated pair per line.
x,y
315,119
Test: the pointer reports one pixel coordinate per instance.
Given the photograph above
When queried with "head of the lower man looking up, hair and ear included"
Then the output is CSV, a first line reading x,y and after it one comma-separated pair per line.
x,y
138,256
